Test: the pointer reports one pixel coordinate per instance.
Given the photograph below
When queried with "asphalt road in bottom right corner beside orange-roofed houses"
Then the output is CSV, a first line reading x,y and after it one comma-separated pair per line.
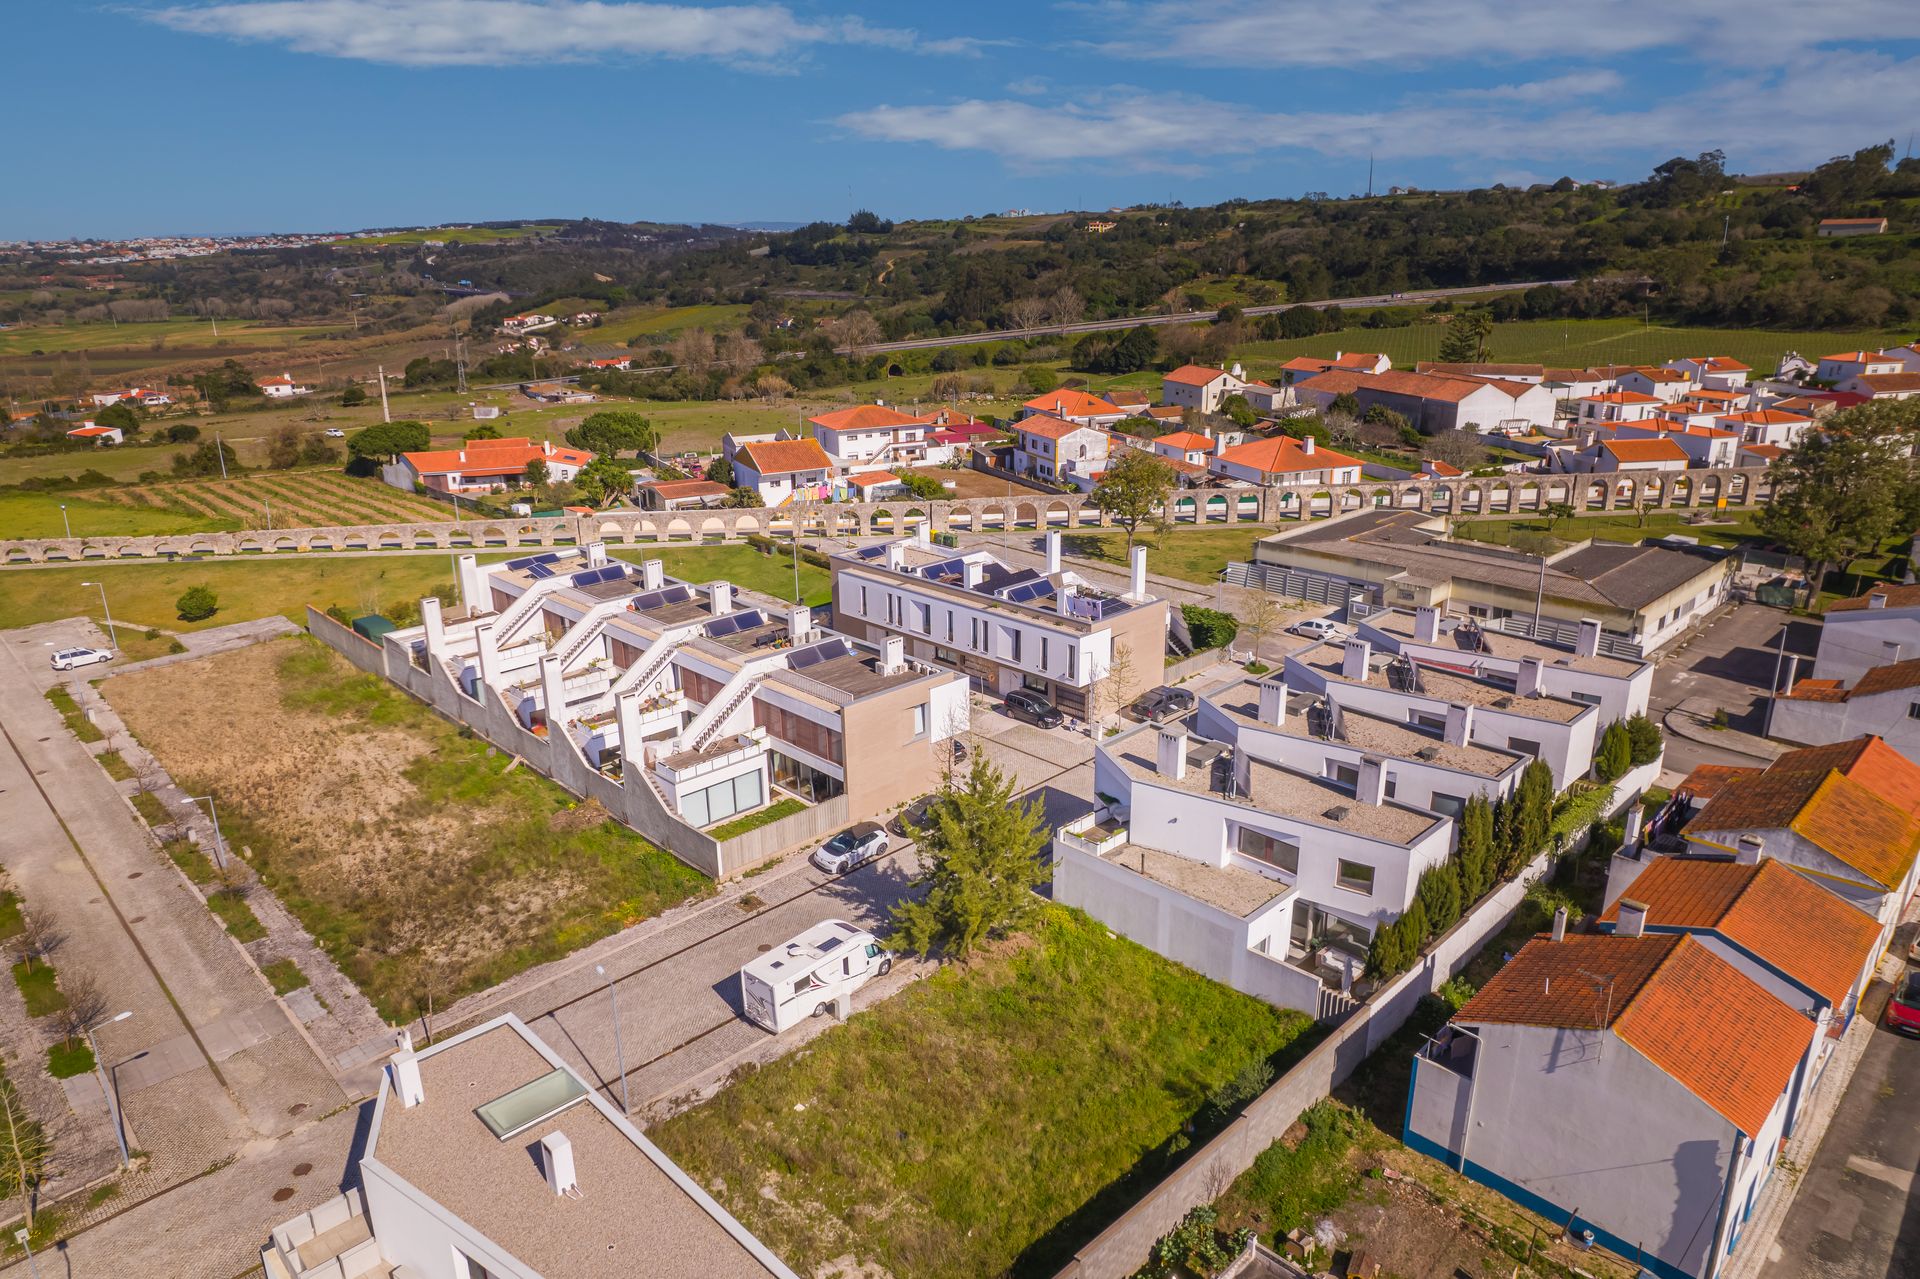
x,y
1856,1213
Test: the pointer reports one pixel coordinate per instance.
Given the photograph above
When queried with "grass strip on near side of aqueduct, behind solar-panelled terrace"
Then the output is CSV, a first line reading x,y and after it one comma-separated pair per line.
x,y
287,585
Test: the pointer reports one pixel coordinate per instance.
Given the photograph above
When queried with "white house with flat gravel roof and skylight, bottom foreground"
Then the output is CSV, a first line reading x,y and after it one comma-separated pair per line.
x,y
489,1157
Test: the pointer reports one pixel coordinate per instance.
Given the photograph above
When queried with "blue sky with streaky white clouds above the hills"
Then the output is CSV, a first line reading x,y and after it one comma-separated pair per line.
x,y
222,116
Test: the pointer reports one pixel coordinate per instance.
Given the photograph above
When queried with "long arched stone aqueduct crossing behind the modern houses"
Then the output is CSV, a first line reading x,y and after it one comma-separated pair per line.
x,y
1512,495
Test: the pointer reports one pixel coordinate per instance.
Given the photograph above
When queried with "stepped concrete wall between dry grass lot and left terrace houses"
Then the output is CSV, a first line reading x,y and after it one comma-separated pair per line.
x,y
638,808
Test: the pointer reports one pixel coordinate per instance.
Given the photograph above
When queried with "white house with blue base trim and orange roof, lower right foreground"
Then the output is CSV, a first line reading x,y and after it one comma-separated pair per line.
x,y
1589,1082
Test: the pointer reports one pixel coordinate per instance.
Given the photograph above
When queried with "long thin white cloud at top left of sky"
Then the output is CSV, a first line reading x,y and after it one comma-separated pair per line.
x,y
471,34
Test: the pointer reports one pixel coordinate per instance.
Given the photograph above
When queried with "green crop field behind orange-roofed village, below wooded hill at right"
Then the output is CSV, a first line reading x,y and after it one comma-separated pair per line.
x,y
1577,345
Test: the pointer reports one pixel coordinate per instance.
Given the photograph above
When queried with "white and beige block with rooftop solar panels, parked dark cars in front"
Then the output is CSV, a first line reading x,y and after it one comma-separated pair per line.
x,y
1051,633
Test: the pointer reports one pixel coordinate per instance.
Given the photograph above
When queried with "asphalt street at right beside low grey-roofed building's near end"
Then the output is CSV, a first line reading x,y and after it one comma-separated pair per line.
x,y
1731,662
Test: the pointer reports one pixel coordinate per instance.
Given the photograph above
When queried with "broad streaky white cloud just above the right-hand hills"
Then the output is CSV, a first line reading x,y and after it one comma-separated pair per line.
x,y
1762,120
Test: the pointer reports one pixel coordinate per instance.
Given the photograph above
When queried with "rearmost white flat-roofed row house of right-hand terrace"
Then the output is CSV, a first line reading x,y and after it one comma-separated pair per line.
x,y
1618,687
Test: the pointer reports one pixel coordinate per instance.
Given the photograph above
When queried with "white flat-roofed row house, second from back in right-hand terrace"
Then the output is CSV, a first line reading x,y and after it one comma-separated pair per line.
x,y
1454,708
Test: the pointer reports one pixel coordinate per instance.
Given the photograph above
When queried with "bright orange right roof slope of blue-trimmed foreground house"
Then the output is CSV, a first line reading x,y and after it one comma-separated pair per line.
x,y
1717,1032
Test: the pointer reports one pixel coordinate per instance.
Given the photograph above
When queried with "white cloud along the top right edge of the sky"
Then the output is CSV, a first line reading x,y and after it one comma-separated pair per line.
x,y
1262,34
